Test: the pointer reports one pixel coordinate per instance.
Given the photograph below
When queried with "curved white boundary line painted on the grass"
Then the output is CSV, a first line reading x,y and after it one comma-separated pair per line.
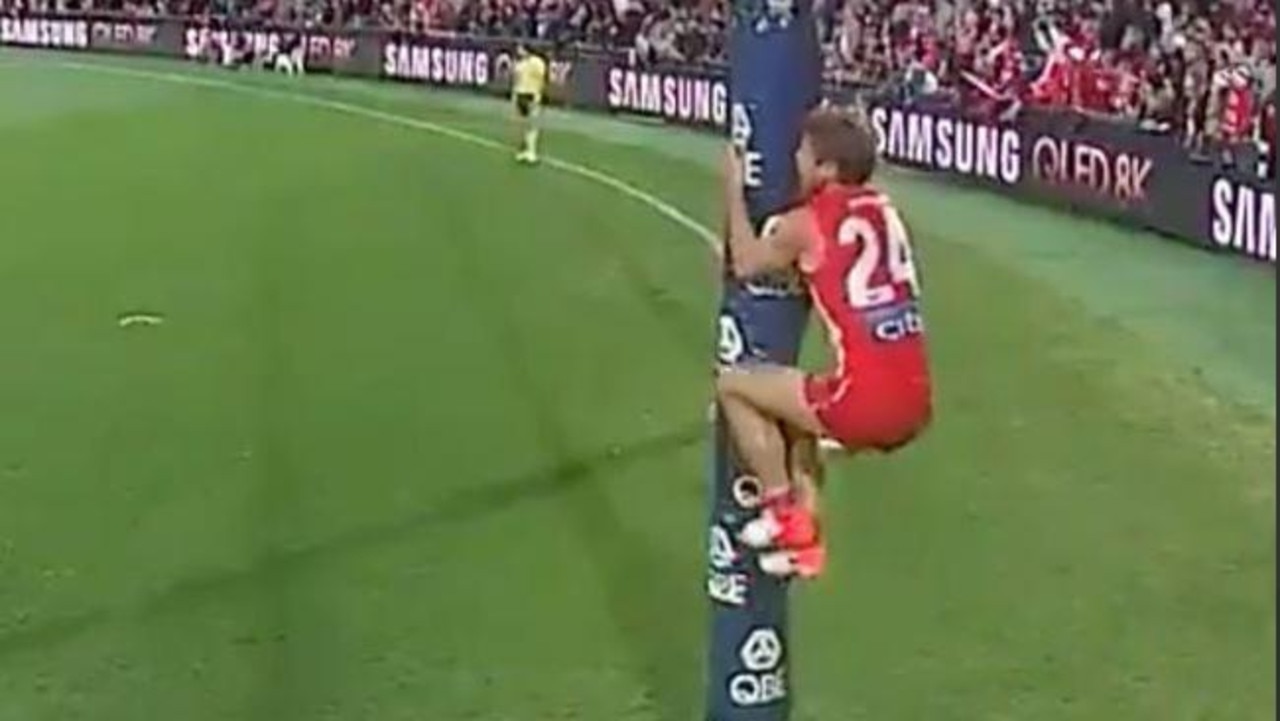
x,y
598,177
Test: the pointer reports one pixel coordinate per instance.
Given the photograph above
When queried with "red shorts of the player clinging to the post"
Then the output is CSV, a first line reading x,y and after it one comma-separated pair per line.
x,y
868,413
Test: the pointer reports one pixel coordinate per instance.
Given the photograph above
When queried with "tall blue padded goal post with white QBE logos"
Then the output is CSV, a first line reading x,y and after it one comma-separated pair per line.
x,y
775,80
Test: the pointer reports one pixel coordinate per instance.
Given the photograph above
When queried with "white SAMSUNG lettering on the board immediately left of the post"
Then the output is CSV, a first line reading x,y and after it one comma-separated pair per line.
x,y
675,98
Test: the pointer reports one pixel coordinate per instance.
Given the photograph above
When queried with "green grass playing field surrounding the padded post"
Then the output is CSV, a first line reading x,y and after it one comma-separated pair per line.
x,y
423,435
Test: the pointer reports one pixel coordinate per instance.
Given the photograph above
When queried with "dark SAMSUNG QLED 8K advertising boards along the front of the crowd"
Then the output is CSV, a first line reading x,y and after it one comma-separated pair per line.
x,y
1096,166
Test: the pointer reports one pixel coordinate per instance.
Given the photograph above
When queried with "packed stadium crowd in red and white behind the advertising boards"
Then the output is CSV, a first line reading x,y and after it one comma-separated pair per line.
x,y
1200,69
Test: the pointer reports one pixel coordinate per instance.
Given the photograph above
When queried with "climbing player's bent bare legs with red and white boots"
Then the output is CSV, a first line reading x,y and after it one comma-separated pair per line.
x,y
758,403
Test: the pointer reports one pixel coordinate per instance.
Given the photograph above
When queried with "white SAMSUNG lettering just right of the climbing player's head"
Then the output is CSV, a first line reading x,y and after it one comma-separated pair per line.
x,y
950,145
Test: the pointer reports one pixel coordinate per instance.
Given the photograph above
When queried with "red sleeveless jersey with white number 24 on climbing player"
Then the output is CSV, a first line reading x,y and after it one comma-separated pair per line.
x,y
861,275
